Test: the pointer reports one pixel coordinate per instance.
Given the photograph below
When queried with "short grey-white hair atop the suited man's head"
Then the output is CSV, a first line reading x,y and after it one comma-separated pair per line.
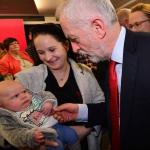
x,y
82,10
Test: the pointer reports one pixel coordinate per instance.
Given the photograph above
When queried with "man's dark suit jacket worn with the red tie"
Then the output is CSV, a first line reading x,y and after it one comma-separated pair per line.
x,y
135,94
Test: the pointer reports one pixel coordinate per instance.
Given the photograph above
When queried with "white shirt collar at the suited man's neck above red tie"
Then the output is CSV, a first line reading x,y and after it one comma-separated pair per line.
x,y
117,54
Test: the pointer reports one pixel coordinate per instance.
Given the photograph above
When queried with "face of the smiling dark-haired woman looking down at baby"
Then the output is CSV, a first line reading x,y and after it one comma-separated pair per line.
x,y
50,51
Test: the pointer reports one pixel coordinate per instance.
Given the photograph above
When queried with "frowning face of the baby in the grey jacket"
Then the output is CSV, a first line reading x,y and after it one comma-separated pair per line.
x,y
16,98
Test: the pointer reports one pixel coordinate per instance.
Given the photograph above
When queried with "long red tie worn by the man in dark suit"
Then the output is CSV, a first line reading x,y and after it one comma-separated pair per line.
x,y
114,106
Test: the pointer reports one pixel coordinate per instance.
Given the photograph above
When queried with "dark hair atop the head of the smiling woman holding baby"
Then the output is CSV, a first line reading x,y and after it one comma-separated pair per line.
x,y
51,29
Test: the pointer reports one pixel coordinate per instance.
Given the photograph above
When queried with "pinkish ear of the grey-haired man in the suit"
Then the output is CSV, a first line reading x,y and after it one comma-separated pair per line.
x,y
99,28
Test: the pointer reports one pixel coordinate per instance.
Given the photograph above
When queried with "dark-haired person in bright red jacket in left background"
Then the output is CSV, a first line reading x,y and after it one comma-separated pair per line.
x,y
15,60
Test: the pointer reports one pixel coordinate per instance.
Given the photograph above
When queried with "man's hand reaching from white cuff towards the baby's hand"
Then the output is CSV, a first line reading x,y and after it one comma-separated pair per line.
x,y
66,112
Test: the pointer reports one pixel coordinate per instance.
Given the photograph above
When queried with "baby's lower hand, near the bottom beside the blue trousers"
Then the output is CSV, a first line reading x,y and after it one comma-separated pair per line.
x,y
39,137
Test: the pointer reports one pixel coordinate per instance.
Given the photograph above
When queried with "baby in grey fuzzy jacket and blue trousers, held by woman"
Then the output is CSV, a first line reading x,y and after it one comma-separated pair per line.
x,y
26,119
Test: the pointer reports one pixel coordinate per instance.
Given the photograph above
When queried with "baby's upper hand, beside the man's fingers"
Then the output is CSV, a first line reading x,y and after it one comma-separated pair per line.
x,y
47,108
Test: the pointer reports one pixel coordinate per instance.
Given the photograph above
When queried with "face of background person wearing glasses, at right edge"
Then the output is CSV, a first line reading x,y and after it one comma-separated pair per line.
x,y
138,22
